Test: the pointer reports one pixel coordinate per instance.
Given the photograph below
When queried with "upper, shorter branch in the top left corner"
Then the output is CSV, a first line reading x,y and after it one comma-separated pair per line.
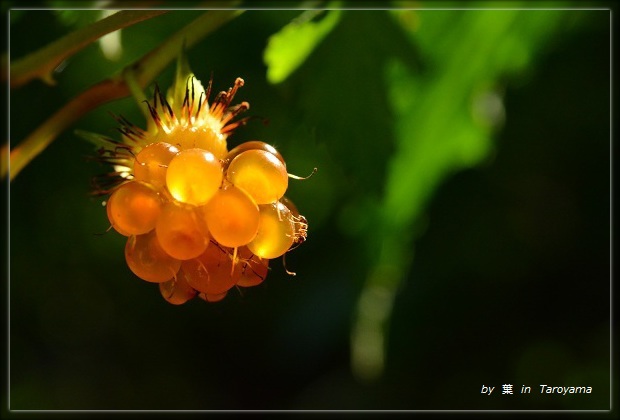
x,y
42,63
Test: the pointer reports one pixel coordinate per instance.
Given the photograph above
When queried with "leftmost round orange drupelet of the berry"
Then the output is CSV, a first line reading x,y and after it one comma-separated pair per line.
x,y
133,208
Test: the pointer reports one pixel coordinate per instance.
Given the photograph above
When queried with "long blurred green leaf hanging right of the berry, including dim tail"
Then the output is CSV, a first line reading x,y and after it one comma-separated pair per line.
x,y
444,121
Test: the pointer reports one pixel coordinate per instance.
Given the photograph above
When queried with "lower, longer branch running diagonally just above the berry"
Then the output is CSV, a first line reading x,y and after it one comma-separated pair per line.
x,y
144,71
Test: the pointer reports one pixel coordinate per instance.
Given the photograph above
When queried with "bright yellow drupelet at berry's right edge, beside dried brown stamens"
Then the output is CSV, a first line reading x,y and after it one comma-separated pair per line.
x,y
276,231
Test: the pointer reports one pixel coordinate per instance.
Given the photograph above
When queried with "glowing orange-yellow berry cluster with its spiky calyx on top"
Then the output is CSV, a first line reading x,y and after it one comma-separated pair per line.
x,y
199,218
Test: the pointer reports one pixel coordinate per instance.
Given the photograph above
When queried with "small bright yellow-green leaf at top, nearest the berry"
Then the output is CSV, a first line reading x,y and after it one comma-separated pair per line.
x,y
289,48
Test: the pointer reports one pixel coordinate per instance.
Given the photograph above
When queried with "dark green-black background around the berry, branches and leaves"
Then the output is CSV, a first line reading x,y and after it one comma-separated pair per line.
x,y
510,275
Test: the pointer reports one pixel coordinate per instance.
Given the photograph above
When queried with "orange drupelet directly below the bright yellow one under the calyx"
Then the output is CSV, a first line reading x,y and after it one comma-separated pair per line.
x,y
182,231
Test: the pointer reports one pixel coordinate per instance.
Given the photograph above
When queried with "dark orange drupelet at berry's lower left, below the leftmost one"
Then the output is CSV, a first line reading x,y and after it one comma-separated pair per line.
x,y
148,260
